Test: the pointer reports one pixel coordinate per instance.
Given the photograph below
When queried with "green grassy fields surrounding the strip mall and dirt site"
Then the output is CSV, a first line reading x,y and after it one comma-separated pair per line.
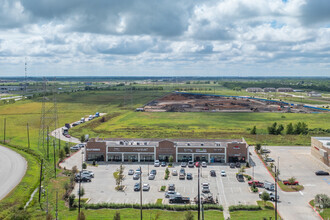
x,y
122,121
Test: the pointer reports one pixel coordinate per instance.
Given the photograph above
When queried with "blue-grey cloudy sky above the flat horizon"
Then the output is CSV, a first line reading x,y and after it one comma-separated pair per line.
x,y
165,37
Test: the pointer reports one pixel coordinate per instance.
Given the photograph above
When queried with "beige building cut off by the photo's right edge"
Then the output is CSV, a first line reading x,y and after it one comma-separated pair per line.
x,y
320,149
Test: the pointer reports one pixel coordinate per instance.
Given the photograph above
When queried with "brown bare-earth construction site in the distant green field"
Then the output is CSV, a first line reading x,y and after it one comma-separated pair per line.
x,y
189,102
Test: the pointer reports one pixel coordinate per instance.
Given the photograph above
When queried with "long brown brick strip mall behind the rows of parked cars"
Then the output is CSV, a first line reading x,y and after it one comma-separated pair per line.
x,y
182,150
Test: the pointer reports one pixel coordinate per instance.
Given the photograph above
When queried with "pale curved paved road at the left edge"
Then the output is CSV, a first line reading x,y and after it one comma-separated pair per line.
x,y
12,169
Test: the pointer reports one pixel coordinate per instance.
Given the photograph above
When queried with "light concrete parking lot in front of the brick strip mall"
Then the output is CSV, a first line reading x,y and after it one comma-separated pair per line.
x,y
227,189
